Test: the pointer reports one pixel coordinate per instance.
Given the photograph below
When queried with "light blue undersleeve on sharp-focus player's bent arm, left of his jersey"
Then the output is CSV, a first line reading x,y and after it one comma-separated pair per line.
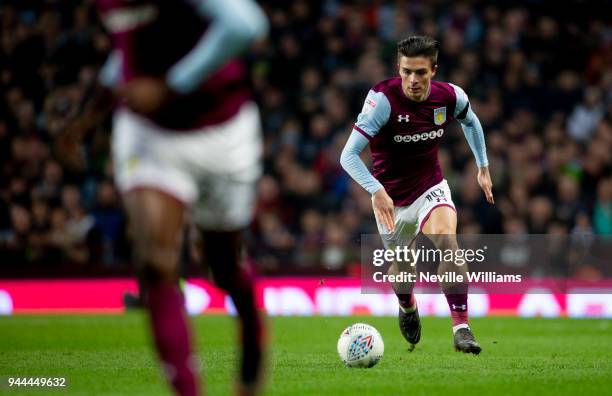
x,y
354,166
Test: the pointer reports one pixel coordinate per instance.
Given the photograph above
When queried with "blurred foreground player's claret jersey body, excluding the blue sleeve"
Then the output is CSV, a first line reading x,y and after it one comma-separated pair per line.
x,y
151,37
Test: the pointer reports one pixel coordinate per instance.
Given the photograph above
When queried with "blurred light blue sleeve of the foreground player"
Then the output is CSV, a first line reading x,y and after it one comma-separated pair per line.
x,y
235,24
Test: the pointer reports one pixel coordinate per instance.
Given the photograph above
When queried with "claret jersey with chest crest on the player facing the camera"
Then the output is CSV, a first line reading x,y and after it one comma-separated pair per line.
x,y
405,135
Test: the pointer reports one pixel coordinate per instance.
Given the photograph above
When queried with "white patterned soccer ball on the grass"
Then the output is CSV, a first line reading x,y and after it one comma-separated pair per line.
x,y
360,345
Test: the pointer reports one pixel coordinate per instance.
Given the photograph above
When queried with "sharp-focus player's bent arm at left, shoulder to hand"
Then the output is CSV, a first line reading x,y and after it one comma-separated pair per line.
x,y
374,115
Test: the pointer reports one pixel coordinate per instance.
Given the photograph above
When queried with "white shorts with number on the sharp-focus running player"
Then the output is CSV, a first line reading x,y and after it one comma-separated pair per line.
x,y
409,220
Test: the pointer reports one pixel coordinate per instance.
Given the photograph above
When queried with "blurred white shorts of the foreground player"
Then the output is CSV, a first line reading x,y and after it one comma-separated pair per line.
x,y
213,170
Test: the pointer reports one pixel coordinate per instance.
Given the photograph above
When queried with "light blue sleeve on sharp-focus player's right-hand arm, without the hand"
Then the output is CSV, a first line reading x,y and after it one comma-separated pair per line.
x,y
472,129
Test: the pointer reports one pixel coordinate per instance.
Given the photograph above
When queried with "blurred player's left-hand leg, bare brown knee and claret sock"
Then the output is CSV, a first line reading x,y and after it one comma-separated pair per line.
x,y
155,221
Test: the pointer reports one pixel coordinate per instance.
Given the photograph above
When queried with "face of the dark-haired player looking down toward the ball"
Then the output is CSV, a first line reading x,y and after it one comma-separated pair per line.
x,y
416,73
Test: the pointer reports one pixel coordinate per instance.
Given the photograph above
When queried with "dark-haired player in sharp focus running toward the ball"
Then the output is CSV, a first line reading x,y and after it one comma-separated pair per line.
x,y
404,119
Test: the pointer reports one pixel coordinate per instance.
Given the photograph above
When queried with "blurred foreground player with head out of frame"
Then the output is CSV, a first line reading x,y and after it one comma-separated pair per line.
x,y
186,137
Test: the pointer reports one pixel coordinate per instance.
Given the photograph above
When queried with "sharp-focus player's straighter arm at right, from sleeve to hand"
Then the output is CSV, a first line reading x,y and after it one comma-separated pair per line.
x,y
472,130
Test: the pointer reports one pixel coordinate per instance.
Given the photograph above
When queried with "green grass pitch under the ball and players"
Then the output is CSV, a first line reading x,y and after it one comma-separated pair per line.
x,y
110,355
